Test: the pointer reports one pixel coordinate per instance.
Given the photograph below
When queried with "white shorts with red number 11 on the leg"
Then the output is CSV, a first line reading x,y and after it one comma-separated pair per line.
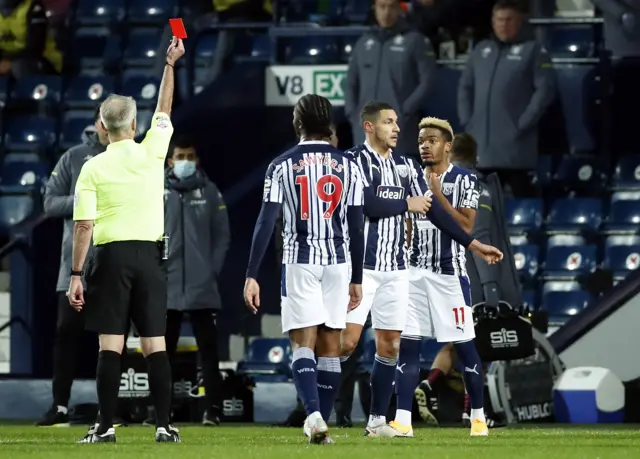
x,y
439,306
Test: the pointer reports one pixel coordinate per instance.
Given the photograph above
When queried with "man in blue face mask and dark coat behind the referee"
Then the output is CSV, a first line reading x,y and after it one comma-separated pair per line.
x,y
197,225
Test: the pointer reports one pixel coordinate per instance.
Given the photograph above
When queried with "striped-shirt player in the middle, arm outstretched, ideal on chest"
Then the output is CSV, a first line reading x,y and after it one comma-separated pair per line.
x,y
394,186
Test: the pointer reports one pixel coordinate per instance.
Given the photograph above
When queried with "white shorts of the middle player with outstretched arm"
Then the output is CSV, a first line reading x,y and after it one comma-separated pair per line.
x,y
386,295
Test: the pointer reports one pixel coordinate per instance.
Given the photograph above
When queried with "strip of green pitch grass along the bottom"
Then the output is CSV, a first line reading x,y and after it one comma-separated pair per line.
x,y
261,442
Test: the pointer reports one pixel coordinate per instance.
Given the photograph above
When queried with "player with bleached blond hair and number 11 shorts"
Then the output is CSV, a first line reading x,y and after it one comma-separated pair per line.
x,y
439,291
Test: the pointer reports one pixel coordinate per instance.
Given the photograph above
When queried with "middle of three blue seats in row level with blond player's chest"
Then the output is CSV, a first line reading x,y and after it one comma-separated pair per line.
x,y
574,215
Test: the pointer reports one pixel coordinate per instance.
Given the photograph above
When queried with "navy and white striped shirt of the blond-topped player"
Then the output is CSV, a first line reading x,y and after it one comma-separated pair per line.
x,y
430,247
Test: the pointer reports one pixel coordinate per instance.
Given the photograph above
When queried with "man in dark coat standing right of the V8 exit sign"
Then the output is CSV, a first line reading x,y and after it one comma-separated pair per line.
x,y
393,63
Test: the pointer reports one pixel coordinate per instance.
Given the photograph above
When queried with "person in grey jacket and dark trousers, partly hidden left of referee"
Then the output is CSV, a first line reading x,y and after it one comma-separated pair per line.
x,y
58,202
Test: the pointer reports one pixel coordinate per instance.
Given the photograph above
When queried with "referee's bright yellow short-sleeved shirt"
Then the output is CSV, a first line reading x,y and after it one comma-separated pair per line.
x,y
122,189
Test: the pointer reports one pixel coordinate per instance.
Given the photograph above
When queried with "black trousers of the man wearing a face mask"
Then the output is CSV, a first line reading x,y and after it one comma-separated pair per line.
x,y
203,322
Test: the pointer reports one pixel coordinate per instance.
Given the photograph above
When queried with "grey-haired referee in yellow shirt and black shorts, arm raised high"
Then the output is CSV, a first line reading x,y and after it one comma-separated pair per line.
x,y
119,197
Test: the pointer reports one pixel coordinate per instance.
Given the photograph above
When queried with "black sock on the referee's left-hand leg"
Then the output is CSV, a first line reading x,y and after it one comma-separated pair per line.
x,y
107,385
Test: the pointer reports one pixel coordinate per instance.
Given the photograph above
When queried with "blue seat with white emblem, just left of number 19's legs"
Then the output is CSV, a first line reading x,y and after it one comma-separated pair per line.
x,y
267,359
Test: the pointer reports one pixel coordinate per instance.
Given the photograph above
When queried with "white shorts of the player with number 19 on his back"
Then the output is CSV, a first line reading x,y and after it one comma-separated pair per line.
x,y
314,295
